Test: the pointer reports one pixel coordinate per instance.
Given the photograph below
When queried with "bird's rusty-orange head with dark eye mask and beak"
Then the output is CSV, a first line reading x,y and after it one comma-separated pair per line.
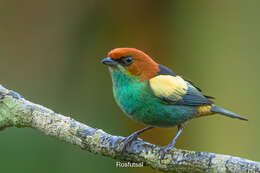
x,y
131,61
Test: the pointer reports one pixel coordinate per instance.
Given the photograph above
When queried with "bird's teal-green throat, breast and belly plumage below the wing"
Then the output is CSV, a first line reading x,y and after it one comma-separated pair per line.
x,y
137,100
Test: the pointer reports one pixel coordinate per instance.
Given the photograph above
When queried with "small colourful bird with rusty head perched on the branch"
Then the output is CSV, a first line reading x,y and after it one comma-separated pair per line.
x,y
153,95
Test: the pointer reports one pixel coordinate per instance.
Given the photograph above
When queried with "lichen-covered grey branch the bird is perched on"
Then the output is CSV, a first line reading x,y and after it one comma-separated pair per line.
x,y
15,111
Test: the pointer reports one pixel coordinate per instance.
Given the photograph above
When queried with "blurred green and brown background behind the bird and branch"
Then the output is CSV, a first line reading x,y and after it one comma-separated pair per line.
x,y
50,52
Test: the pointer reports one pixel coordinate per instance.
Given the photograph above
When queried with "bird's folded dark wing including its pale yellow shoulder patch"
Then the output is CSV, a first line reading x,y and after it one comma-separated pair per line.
x,y
175,90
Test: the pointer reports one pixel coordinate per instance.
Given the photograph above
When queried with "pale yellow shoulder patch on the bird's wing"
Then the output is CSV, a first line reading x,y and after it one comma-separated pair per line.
x,y
167,86
